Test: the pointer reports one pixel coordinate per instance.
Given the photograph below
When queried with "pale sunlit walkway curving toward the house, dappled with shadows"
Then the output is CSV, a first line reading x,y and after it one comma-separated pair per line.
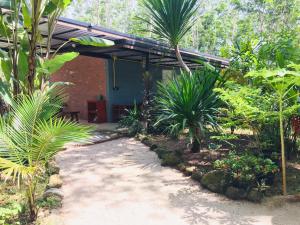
x,y
121,182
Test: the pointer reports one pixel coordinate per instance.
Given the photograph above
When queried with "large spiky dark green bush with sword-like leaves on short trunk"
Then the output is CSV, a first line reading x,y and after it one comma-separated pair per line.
x,y
189,102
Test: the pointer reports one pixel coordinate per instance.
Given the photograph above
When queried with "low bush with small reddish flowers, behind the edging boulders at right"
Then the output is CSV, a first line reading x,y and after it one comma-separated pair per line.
x,y
247,169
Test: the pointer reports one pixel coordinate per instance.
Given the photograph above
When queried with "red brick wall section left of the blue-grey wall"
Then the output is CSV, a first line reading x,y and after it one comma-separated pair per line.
x,y
87,74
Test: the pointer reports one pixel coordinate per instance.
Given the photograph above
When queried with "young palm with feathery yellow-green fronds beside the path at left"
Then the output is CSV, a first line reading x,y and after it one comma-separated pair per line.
x,y
30,135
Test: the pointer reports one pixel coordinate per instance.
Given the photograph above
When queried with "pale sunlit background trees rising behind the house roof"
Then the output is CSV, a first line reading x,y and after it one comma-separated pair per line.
x,y
220,25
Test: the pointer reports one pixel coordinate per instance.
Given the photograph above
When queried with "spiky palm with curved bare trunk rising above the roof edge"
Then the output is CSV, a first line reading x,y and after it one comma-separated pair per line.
x,y
171,20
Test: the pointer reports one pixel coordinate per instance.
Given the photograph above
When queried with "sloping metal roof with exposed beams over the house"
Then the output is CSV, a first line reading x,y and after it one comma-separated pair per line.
x,y
127,47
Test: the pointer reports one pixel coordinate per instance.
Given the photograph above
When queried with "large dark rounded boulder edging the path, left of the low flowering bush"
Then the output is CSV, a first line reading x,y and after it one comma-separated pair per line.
x,y
216,181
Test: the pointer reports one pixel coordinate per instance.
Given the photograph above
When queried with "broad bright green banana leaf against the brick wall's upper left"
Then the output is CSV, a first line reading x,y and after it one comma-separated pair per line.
x,y
50,66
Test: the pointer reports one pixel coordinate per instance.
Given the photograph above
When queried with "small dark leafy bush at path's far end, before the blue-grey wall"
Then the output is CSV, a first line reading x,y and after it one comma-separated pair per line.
x,y
132,121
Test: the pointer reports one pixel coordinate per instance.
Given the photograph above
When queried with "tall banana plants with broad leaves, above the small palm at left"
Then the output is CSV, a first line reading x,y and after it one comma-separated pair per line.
x,y
25,67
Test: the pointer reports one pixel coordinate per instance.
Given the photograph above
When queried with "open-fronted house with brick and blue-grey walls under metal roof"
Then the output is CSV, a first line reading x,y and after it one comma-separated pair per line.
x,y
114,73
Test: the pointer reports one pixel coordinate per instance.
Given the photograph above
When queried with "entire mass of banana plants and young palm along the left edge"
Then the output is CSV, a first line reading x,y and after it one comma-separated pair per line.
x,y
31,132
